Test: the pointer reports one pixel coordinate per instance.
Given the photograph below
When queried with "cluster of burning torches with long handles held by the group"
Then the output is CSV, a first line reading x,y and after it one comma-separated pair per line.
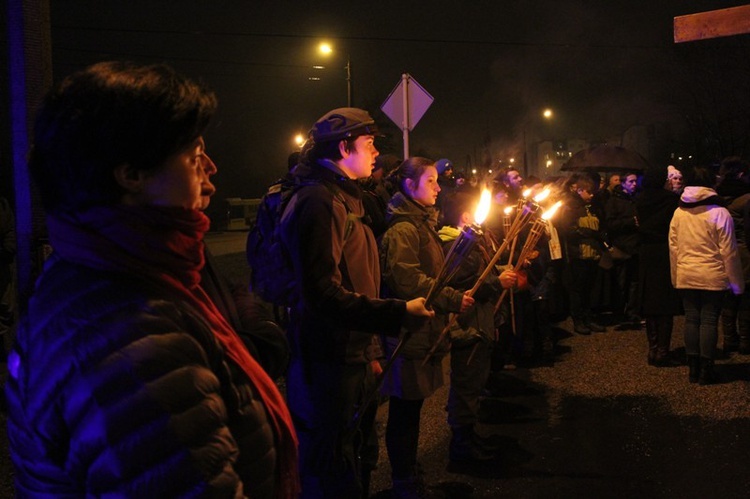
x,y
527,212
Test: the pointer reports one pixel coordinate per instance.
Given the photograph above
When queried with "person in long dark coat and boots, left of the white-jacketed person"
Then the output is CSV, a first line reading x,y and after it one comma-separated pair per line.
x,y
658,301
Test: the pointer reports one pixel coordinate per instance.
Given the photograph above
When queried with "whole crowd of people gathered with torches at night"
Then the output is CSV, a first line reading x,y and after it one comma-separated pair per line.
x,y
137,371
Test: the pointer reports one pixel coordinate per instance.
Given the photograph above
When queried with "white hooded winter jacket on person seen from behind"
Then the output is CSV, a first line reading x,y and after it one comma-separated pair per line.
x,y
702,247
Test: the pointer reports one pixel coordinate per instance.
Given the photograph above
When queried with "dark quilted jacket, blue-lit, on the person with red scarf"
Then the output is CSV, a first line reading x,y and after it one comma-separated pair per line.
x,y
113,393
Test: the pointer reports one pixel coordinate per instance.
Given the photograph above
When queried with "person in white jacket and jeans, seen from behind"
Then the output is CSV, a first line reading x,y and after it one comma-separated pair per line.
x,y
704,263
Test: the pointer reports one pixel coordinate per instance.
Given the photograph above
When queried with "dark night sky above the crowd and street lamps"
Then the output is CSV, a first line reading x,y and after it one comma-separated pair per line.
x,y
491,67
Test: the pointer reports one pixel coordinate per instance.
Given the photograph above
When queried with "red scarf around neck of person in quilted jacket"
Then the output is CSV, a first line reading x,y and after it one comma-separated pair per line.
x,y
165,245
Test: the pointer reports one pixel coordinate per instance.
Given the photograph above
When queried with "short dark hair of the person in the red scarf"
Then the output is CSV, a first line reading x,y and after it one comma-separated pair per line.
x,y
107,115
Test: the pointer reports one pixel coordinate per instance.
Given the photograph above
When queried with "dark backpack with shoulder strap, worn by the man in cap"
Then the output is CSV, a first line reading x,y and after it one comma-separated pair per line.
x,y
272,275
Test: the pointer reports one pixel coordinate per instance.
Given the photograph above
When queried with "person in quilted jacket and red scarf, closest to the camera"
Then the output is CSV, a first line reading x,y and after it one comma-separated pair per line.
x,y
125,379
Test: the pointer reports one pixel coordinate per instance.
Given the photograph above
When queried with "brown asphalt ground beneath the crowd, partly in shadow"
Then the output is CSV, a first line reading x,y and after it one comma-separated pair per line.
x,y
597,423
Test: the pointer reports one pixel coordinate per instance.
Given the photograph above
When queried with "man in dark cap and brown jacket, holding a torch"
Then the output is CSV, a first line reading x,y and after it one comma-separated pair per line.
x,y
336,314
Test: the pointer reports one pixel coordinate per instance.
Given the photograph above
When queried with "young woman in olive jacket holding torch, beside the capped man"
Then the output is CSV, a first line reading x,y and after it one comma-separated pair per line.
x,y
411,260
